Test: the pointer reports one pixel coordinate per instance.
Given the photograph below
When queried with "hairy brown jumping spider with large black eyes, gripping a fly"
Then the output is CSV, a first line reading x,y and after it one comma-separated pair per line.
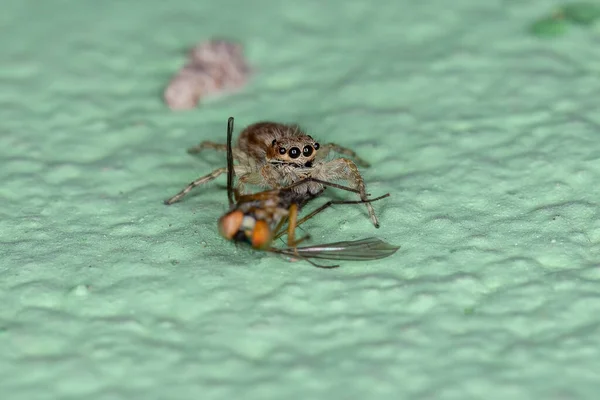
x,y
274,155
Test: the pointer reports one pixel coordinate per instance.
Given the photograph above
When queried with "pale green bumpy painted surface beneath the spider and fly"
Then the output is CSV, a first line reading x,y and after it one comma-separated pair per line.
x,y
487,138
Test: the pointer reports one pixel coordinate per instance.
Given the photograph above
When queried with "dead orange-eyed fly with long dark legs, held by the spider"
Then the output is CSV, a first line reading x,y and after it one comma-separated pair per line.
x,y
259,219
